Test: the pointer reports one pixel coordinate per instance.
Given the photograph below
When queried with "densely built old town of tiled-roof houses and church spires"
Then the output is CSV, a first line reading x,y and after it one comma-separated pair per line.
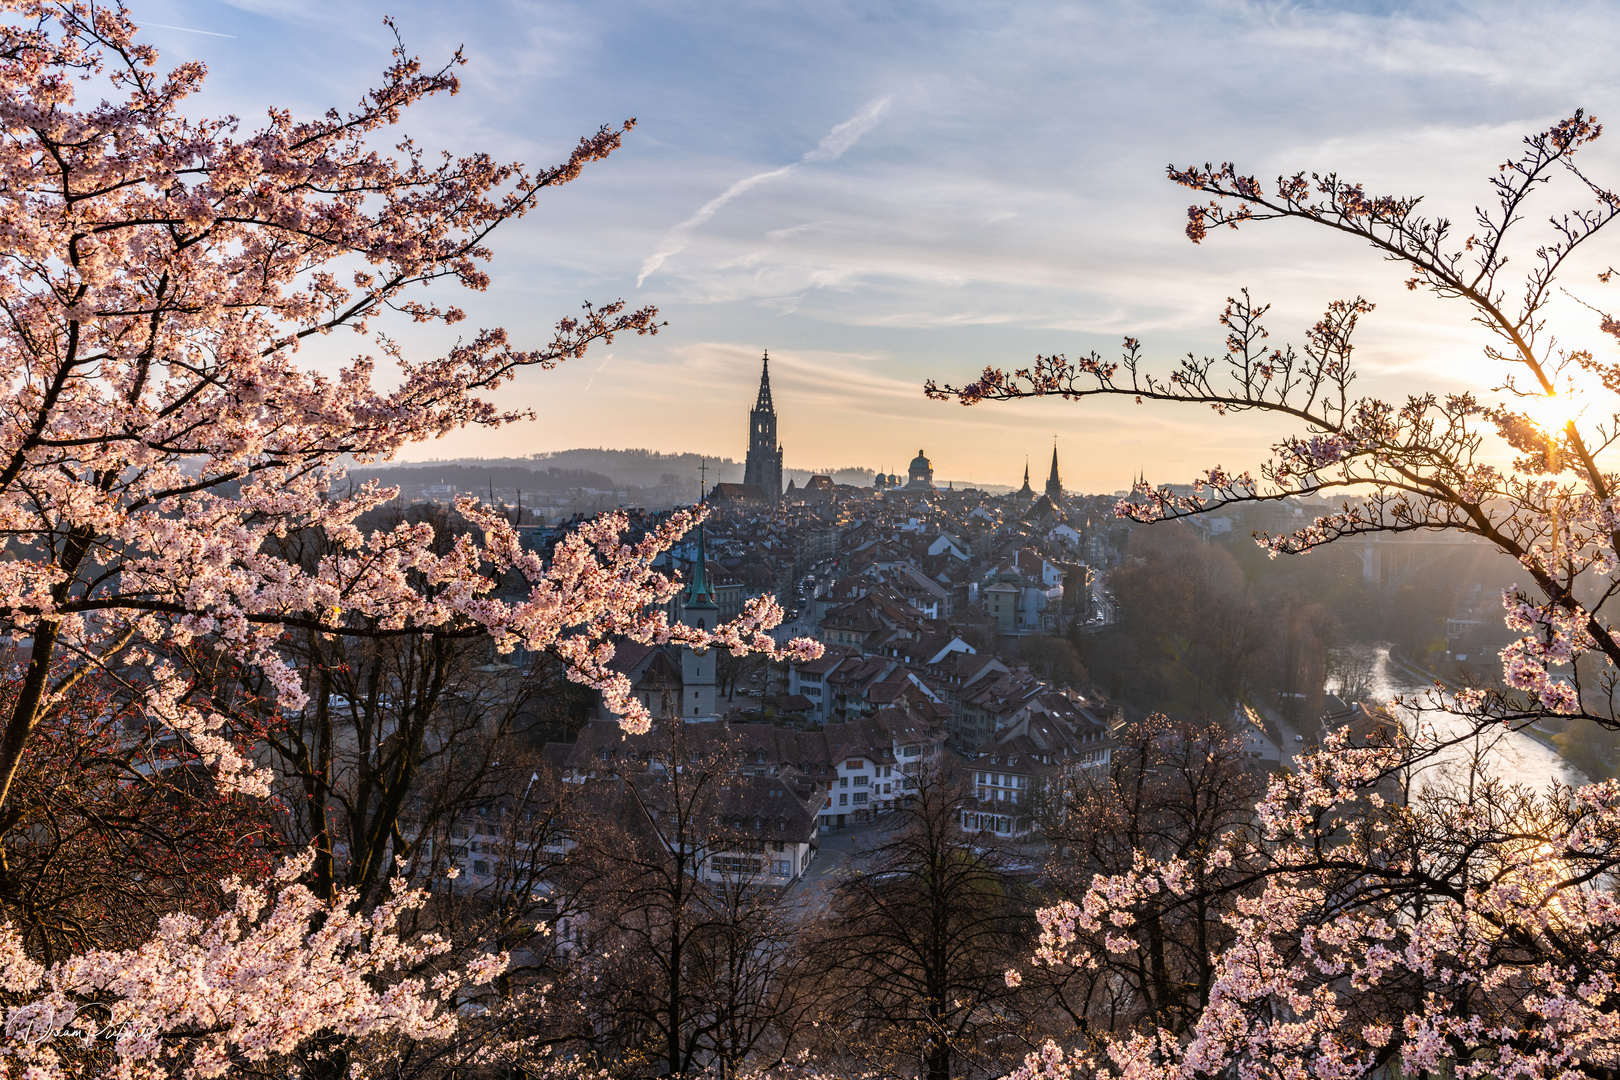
x,y
926,600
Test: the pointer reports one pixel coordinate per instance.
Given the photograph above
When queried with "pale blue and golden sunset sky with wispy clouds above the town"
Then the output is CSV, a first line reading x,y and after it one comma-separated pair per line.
x,y
882,193
